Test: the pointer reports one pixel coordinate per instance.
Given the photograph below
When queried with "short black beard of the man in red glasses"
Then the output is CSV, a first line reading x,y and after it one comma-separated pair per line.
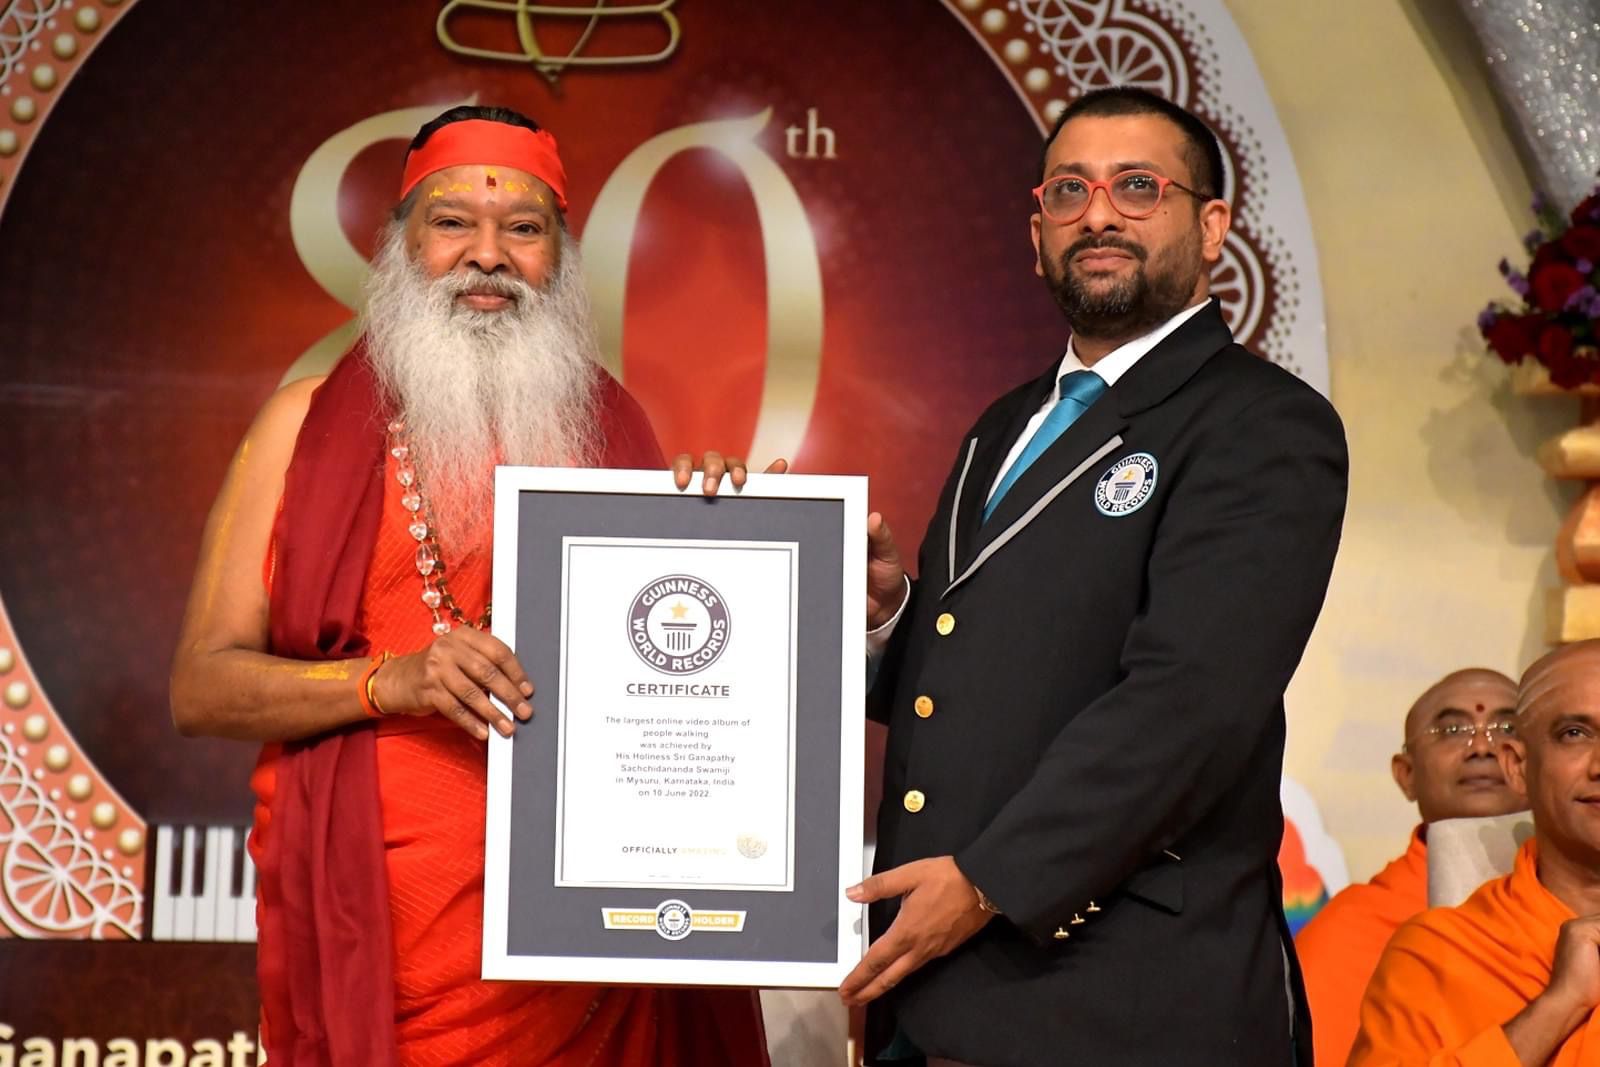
x,y
1130,308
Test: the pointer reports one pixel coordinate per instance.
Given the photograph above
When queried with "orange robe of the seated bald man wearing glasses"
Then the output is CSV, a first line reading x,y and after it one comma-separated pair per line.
x,y
1340,946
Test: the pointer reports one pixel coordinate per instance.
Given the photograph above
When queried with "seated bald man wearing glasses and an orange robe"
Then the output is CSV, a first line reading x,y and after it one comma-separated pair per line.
x,y
1447,767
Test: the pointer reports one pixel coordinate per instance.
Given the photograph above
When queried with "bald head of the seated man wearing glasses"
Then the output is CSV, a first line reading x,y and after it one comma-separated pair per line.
x,y
1449,764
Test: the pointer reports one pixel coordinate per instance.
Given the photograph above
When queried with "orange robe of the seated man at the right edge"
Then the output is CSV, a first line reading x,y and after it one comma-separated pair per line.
x,y
1454,977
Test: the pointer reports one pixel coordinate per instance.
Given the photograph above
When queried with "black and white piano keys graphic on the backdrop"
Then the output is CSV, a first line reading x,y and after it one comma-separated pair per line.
x,y
206,885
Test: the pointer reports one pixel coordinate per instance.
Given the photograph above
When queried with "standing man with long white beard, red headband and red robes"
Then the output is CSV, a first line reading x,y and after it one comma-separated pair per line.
x,y
340,617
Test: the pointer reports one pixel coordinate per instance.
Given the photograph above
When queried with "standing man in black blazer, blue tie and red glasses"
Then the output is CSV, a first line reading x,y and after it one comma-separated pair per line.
x,y
1078,845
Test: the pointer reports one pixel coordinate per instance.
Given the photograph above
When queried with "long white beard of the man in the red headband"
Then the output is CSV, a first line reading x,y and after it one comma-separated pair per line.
x,y
514,386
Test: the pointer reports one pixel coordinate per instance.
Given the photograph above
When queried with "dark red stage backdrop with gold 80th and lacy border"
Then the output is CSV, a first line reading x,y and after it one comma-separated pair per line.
x,y
806,228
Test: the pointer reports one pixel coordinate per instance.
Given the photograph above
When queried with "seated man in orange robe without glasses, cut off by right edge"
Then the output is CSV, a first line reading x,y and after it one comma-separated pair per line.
x,y
1513,977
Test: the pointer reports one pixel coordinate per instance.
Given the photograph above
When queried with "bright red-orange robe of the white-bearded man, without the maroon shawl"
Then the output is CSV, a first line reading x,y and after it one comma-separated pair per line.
x,y
433,785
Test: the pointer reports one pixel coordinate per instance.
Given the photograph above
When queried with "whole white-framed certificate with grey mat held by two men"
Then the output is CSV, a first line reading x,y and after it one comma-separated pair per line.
x,y
686,805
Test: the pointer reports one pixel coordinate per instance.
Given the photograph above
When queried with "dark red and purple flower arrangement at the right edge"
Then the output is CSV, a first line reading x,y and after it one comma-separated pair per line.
x,y
1559,318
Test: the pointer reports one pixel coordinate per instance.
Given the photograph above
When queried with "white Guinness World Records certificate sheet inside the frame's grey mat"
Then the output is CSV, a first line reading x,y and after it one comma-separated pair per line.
x,y
694,769
